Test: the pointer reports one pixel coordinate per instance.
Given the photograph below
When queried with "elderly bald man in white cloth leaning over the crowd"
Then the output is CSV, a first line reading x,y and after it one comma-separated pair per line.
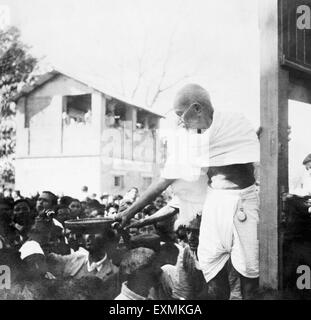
x,y
223,157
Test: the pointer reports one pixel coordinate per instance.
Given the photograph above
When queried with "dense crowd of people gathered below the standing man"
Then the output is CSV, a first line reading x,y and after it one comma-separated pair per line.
x,y
144,261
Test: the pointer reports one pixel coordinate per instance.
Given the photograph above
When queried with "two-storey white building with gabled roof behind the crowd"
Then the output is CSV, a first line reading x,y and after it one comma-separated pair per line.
x,y
70,134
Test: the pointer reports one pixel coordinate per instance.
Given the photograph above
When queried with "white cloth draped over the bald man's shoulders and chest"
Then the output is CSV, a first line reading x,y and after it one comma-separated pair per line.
x,y
231,139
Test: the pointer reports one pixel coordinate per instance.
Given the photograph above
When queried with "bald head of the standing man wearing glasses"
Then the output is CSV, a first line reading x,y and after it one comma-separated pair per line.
x,y
193,107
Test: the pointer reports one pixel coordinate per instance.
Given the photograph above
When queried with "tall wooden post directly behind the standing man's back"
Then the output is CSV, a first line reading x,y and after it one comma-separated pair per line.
x,y
274,145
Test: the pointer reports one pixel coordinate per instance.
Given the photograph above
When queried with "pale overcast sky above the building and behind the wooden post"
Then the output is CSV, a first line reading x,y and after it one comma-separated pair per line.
x,y
215,42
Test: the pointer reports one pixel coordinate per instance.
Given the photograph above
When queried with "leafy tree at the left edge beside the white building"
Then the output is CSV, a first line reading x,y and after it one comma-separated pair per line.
x,y
17,68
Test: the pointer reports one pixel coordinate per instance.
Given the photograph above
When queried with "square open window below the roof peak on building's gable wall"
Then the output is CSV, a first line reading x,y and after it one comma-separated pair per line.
x,y
77,109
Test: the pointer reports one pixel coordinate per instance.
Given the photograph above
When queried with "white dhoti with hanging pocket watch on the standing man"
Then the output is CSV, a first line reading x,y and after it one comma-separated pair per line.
x,y
229,228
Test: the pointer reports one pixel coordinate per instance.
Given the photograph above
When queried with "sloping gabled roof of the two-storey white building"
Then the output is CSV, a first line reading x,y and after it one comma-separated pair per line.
x,y
90,81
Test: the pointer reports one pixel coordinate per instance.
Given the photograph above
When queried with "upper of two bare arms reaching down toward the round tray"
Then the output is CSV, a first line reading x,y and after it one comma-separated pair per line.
x,y
150,194
